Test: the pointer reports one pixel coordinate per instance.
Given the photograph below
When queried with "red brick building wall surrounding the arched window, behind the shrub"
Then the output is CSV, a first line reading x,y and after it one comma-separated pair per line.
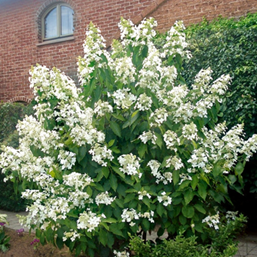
x,y
22,44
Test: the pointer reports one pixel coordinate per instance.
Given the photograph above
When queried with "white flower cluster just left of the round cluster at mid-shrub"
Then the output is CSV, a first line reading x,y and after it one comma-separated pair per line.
x,y
100,154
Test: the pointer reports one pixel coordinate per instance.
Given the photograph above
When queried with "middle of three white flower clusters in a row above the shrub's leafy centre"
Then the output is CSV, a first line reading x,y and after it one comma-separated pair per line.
x,y
123,99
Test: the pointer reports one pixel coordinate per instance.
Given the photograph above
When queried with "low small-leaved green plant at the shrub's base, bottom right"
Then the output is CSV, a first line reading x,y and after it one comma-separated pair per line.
x,y
222,242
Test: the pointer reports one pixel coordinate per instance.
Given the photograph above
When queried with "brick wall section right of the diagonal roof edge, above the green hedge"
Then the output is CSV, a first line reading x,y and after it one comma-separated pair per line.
x,y
193,11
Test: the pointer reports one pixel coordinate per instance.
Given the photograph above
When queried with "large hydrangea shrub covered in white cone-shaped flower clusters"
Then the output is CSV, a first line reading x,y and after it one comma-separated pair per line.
x,y
131,148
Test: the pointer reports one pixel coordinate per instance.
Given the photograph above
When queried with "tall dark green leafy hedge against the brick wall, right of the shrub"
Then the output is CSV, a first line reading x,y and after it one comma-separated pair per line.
x,y
228,46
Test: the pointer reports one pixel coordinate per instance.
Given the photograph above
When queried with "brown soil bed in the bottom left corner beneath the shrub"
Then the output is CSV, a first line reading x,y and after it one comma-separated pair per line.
x,y
20,246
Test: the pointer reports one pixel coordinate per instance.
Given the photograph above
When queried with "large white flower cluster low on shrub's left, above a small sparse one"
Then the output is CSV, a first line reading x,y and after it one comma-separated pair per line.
x,y
89,220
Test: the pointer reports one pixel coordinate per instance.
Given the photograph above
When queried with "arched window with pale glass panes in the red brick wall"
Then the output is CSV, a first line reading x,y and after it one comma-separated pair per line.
x,y
57,22
